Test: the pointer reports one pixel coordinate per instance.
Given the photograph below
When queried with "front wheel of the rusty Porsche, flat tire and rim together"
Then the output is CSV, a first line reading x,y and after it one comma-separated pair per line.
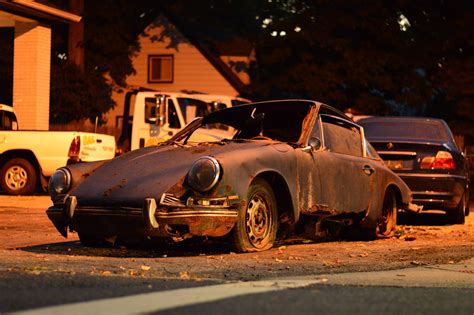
x,y
257,224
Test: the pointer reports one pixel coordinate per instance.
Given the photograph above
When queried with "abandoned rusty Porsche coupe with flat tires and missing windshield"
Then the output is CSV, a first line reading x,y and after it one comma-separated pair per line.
x,y
283,163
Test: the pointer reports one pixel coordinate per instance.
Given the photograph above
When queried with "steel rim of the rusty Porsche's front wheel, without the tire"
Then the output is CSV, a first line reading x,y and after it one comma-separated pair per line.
x,y
258,220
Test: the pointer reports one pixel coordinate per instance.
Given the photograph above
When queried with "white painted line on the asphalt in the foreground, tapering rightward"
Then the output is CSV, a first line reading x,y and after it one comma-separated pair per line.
x,y
163,300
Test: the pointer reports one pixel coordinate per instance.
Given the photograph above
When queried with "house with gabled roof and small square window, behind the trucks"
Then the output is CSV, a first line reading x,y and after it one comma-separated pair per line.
x,y
171,60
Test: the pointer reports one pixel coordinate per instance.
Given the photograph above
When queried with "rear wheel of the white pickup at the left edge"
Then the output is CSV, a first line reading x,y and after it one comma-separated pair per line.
x,y
18,177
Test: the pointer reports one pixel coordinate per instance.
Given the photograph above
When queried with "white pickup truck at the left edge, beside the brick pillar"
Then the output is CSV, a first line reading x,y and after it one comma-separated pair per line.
x,y
28,158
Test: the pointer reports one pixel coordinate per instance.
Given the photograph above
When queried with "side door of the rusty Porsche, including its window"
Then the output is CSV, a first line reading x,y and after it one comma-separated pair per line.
x,y
346,175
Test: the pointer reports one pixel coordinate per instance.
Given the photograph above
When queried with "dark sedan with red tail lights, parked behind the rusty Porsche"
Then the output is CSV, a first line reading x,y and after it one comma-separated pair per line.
x,y
422,151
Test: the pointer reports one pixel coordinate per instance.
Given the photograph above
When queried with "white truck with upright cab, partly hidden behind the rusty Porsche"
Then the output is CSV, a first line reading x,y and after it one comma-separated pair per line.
x,y
158,115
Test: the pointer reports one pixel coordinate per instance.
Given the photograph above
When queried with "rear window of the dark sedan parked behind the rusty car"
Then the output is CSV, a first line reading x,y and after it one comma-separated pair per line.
x,y
416,130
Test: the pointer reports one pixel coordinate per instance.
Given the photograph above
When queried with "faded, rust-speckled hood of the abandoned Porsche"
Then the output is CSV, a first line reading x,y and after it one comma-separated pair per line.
x,y
149,172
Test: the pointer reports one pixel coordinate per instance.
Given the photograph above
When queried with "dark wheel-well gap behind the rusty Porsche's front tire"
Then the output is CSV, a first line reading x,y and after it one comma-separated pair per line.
x,y
282,196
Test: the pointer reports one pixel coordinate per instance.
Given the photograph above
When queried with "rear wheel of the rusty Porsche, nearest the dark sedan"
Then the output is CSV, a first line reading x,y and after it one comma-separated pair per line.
x,y
388,221
